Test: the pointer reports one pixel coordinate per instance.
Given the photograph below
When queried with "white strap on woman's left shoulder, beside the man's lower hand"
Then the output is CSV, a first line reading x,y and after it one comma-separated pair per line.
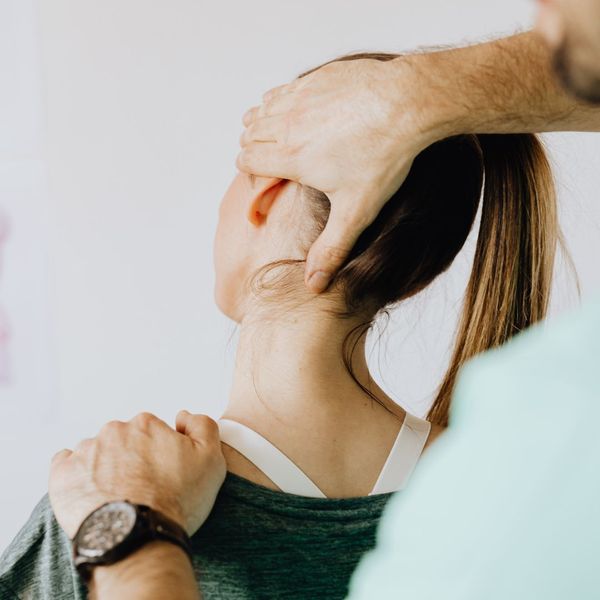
x,y
269,459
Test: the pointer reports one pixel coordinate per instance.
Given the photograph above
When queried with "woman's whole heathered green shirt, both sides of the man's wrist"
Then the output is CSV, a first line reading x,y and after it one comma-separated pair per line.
x,y
257,543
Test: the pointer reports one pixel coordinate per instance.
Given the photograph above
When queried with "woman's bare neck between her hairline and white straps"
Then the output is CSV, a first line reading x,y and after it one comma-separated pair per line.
x,y
290,369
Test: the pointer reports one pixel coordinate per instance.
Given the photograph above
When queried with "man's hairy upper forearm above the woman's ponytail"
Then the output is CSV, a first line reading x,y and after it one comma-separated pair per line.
x,y
504,86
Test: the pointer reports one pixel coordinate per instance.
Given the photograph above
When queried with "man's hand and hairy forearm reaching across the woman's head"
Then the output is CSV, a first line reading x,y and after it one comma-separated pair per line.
x,y
303,131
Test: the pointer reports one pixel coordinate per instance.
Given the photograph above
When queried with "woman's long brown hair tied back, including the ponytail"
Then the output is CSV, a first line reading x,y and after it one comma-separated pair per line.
x,y
425,224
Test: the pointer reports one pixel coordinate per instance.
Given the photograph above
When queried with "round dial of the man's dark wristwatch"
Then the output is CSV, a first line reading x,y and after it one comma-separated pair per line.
x,y
105,528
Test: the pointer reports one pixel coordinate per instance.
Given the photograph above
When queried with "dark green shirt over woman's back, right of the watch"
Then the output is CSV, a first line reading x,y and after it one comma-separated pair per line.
x,y
260,543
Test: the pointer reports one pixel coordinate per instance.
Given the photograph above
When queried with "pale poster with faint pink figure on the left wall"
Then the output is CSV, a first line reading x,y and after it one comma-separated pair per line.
x,y
27,359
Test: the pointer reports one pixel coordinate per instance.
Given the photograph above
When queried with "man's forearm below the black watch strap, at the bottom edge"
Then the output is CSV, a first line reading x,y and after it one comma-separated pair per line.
x,y
158,570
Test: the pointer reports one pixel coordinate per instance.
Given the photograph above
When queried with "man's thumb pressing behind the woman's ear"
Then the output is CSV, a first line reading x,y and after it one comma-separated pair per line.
x,y
331,248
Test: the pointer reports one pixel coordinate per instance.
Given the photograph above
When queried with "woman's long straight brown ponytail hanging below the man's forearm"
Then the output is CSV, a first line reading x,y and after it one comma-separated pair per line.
x,y
509,287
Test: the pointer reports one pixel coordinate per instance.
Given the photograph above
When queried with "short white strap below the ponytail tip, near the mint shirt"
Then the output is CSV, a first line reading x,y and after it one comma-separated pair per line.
x,y
404,455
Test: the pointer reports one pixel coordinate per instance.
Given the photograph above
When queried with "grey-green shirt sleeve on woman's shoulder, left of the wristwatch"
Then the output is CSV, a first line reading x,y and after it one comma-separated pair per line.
x,y
37,563
